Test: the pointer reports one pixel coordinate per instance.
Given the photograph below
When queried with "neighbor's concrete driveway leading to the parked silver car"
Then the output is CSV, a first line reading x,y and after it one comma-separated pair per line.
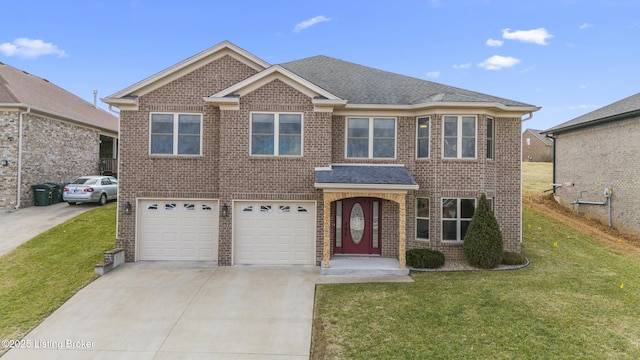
x,y
22,225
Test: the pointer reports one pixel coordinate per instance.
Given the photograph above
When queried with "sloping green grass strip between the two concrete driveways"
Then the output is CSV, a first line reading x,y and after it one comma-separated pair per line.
x,y
43,273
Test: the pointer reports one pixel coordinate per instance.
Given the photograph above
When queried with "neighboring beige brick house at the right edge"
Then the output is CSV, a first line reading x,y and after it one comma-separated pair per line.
x,y
598,151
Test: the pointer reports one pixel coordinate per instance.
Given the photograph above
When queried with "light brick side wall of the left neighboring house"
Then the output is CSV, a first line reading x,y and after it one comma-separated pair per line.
x,y
52,151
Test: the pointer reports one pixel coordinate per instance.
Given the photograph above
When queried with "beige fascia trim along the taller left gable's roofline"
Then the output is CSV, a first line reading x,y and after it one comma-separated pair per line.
x,y
186,66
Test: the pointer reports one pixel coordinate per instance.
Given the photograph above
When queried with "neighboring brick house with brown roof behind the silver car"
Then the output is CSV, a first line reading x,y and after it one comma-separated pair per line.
x,y
48,135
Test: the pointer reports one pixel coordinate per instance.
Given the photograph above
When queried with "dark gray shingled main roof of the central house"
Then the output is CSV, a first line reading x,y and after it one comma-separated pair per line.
x,y
364,85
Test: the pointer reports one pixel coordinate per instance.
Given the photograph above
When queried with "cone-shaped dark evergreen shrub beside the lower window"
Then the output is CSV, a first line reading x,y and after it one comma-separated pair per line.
x,y
483,240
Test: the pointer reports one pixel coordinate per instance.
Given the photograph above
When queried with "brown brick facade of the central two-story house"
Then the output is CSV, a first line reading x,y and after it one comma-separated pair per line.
x,y
226,170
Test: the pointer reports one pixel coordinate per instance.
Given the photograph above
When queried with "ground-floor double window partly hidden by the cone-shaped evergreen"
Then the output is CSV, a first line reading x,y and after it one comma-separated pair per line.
x,y
456,217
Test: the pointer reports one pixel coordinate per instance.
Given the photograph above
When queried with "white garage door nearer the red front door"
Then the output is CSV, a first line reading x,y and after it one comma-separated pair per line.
x,y
274,233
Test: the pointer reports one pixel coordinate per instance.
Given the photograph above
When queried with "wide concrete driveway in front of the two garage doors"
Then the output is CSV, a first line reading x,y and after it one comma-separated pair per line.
x,y
162,310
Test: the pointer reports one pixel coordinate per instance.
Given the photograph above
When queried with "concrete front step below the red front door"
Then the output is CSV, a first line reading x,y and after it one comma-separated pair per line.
x,y
363,266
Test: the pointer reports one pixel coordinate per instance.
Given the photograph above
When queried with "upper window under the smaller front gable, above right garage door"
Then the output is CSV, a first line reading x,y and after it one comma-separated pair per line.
x,y
276,134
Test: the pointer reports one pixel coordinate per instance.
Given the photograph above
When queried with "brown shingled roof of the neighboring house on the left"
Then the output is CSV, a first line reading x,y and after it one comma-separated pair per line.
x,y
19,88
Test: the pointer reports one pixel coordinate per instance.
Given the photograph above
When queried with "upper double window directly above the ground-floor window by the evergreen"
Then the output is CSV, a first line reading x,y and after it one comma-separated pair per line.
x,y
459,140
